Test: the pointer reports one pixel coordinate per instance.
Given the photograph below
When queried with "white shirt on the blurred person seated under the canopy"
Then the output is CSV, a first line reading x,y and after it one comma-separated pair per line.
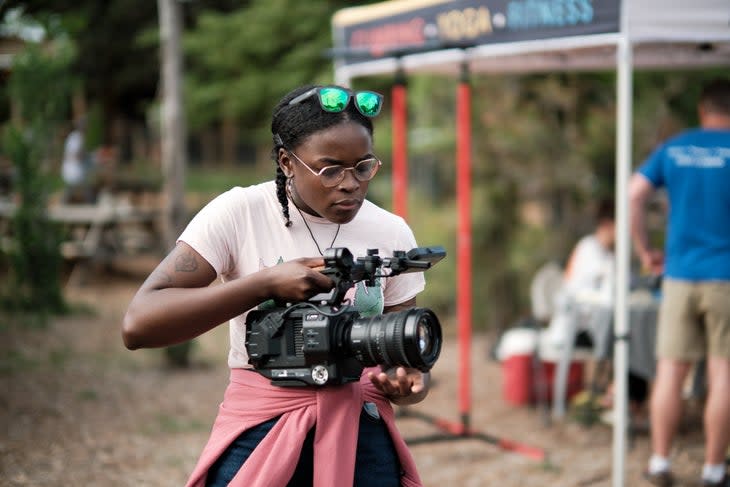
x,y
589,274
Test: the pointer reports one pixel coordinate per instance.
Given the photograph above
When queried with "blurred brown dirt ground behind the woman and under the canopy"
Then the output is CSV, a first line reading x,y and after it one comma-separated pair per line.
x,y
78,409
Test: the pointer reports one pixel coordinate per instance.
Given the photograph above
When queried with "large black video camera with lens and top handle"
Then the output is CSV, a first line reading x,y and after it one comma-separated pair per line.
x,y
325,340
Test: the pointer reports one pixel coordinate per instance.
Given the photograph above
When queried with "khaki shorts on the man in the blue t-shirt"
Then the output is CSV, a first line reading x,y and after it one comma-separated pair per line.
x,y
694,320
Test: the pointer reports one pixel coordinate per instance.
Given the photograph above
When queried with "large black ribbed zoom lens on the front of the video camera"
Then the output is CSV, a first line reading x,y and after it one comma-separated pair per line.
x,y
409,338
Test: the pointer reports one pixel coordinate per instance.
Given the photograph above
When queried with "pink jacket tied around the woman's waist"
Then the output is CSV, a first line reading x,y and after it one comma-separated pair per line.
x,y
250,399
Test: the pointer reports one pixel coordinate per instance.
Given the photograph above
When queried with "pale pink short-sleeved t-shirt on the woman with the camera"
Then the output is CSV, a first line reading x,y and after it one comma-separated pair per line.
x,y
242,231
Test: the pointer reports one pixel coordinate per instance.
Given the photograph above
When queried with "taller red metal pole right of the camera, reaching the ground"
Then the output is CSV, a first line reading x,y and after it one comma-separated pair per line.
x,y
463,191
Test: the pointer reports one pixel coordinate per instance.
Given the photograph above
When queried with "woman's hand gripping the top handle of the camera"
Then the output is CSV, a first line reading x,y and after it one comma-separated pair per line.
x,y
297,280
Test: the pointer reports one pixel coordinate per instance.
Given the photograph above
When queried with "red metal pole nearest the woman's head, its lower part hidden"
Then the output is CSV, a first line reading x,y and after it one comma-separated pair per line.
x,y
400,147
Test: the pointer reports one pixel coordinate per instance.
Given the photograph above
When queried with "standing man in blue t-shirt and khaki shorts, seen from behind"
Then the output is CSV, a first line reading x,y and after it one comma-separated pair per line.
x,y
694,319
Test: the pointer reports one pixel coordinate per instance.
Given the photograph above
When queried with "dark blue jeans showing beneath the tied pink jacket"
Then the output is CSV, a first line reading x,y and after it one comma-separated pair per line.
x,y
376,462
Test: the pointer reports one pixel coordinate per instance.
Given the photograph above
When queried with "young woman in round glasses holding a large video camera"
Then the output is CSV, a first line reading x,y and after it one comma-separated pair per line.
x,y
266,242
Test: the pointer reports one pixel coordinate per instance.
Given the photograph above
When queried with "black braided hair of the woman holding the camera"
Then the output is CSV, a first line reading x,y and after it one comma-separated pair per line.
x,y
292,125
